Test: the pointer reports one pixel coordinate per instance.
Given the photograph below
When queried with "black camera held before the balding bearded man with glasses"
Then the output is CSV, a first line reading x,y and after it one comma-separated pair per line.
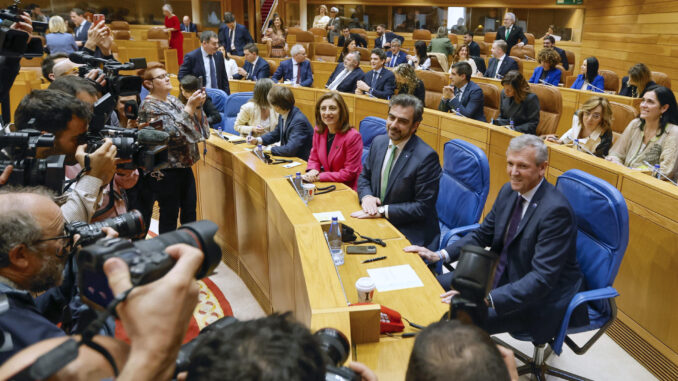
x,y
128,225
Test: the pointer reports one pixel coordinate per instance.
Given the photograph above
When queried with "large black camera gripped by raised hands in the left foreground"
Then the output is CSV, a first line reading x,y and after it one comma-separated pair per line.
x,y
147,260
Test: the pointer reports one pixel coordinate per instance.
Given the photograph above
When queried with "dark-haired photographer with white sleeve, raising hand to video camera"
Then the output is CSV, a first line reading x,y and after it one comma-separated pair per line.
x,y
67,118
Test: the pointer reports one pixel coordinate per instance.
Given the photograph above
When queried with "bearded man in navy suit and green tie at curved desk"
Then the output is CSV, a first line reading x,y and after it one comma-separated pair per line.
x,y
400,176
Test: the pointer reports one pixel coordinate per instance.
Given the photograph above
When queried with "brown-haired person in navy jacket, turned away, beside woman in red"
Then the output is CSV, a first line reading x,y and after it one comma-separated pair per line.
x,y
293,131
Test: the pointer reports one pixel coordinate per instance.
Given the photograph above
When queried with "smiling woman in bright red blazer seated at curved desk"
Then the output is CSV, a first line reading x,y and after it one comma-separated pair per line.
x,y
336,155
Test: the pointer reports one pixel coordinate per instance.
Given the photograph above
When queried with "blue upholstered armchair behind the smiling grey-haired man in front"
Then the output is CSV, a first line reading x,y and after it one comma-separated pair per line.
x,y
602,235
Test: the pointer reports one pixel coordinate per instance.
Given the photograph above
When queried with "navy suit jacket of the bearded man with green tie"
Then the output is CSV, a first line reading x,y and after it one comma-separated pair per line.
x,y
412,188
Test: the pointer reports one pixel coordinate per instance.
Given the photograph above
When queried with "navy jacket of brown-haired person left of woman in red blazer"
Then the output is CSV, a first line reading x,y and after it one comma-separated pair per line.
x,y
295,138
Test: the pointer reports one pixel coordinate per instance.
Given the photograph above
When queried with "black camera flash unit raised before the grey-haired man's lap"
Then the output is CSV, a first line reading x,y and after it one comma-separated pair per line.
x,y
473,278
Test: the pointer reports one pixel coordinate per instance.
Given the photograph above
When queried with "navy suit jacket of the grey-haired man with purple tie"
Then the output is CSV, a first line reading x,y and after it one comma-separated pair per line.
x,y
542,274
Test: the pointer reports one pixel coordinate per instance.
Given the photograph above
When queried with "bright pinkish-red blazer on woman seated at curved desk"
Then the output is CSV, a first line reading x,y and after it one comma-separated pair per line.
x,y
344,162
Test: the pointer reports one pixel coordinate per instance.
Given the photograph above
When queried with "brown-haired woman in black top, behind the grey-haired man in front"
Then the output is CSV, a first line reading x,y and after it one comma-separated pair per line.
x,y
519,107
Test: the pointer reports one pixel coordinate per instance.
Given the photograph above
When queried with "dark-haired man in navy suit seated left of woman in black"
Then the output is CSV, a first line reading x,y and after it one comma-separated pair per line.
x,y
463,96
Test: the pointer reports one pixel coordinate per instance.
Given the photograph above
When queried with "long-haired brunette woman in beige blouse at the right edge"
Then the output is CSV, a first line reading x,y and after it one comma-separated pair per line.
x,y
652,138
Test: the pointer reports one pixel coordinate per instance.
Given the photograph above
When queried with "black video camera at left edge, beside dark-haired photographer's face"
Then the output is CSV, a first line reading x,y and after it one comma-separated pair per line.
x,y
18,149
